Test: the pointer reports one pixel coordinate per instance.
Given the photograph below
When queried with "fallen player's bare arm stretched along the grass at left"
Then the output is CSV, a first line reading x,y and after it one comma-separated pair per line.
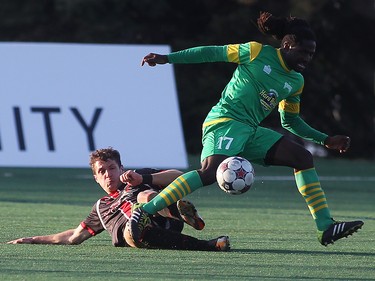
x,y
68,237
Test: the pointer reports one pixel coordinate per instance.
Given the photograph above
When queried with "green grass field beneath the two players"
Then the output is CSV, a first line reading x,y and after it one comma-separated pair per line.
x,y
272,234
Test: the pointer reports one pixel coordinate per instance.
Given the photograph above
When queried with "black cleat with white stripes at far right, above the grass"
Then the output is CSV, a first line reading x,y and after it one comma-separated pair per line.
x,y
338,230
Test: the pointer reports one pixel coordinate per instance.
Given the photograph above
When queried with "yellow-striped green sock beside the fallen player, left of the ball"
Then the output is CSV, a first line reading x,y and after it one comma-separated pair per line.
x,y
179,188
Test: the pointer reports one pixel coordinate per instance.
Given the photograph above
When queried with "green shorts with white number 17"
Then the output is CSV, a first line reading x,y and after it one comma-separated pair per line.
x,y
235,138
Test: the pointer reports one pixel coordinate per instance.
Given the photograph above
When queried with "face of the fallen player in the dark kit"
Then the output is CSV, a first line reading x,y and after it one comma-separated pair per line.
x,y
107,175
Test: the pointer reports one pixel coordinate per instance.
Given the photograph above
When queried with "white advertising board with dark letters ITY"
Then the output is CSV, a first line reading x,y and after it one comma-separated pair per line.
x,y
61,101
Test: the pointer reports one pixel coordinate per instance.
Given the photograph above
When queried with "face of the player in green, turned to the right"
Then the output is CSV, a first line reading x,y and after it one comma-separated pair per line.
x,y
299,56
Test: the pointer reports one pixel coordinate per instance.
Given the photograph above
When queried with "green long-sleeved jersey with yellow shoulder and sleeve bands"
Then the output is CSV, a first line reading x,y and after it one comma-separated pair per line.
x,y
261,82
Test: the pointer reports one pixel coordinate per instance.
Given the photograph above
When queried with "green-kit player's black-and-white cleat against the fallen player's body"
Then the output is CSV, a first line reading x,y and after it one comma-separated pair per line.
x,y
138,222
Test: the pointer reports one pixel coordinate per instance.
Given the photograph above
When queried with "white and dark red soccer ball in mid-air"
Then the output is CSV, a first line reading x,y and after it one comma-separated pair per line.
x,y
235,175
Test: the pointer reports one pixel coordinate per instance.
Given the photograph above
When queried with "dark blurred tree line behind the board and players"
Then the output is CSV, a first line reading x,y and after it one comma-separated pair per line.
x,y
339,96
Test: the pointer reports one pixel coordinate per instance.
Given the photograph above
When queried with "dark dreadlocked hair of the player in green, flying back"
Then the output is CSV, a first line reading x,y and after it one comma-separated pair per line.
x,y
291,29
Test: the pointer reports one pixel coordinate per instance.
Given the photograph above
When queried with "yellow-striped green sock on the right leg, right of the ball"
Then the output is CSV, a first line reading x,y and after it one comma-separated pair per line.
x,y
309,186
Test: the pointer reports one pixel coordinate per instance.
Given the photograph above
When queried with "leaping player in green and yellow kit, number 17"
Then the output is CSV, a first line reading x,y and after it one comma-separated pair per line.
x,y
265,78
